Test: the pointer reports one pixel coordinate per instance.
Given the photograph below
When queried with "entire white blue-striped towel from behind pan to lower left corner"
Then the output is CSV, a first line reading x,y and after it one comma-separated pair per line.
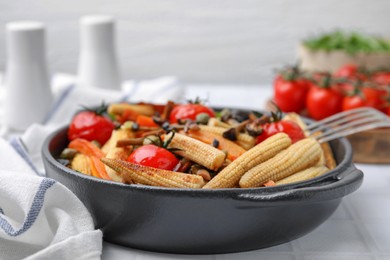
x,y
39,217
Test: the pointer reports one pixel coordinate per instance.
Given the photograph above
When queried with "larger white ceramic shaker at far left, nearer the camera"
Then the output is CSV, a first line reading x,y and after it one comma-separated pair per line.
x,y
28,97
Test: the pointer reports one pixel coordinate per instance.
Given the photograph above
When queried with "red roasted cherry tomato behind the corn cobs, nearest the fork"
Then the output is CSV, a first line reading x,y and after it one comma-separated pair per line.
x,y
293,130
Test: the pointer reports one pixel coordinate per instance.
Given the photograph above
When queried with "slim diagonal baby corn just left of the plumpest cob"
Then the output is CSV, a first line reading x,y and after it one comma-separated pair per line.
x,y
230,176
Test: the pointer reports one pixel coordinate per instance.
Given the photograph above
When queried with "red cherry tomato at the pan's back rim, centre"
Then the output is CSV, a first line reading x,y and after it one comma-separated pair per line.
x,y
189,111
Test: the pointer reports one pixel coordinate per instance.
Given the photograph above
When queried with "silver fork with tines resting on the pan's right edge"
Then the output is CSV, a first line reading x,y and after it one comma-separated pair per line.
x,y
347,123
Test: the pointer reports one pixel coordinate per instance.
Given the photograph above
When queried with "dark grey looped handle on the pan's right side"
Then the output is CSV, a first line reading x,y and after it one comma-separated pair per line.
x,y
335,186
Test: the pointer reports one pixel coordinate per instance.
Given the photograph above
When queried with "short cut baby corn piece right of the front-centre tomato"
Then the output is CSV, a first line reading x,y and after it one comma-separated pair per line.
x,y
197,151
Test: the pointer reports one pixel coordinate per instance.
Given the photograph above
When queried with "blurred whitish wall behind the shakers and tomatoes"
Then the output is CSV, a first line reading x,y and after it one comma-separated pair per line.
x,y
220,41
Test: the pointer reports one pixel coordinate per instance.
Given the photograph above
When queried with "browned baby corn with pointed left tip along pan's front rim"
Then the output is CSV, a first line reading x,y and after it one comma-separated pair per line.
x,y
153,176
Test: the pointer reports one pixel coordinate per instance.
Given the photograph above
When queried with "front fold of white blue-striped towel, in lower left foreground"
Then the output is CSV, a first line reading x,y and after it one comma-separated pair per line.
x,y
39,217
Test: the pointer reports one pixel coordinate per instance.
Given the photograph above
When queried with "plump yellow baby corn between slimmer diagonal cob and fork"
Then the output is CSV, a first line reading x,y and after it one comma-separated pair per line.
x,y
300,155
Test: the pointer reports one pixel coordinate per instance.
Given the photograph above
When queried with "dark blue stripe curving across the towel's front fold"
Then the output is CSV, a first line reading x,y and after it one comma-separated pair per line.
x,y
33,212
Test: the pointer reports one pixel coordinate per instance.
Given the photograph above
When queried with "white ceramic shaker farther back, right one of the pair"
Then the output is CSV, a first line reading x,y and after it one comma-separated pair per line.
x,y
98,66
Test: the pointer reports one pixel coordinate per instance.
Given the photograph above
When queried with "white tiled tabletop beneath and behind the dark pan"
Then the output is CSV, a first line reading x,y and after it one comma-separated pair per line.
x,y
358,230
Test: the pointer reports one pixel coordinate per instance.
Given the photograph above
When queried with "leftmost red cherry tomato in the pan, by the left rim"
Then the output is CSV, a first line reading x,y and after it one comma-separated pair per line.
x,y
90,126
